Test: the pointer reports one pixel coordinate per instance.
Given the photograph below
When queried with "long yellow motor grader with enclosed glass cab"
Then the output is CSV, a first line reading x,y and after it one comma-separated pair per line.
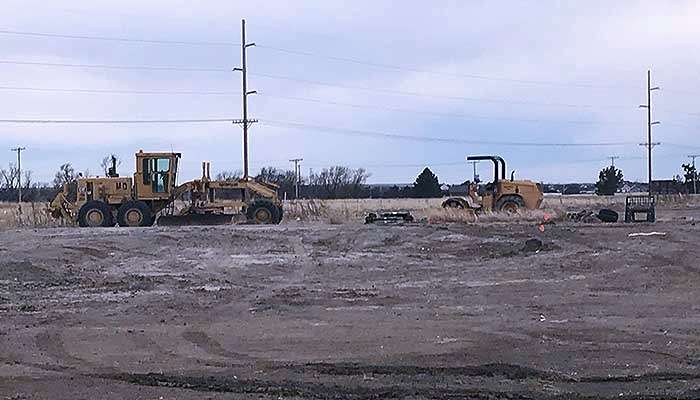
x,y
152,195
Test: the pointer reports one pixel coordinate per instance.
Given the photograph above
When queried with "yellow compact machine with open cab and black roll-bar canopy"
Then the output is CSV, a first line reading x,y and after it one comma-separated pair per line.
x,y
509,196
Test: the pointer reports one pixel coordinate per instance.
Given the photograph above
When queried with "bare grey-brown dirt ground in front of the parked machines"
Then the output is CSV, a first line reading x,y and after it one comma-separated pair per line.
x,y
351,311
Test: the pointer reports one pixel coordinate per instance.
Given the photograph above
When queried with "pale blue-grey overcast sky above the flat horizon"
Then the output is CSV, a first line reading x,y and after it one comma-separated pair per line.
x,y
471,71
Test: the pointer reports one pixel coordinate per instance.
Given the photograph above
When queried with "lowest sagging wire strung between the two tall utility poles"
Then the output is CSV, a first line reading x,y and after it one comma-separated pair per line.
x,y
355,132
